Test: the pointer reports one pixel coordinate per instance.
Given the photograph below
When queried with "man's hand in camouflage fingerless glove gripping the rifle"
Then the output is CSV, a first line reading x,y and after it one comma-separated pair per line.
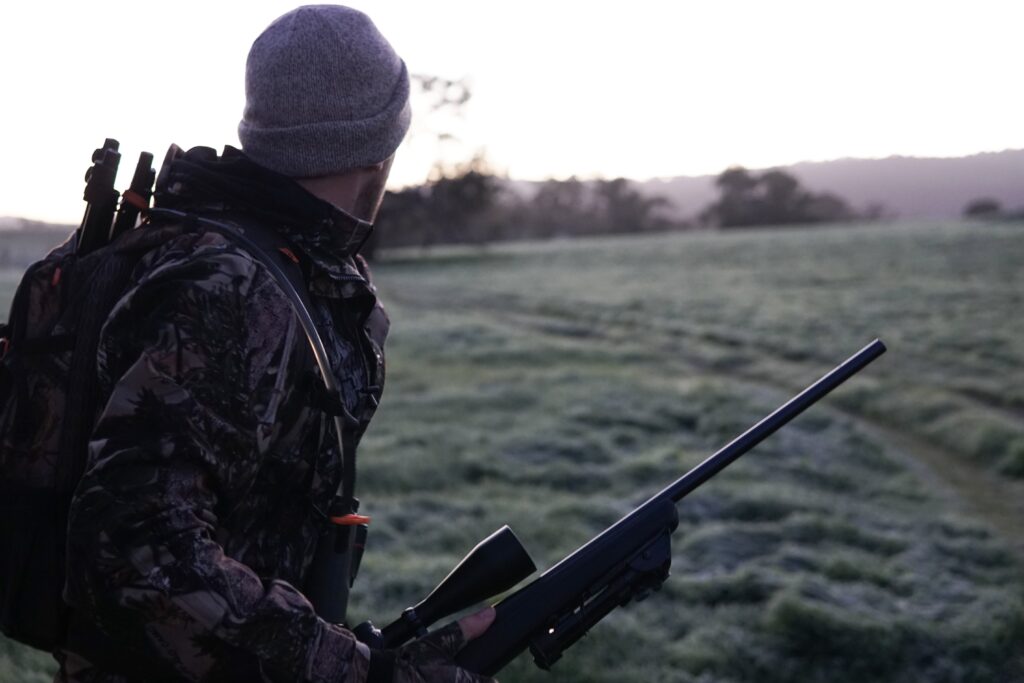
x,y
432,659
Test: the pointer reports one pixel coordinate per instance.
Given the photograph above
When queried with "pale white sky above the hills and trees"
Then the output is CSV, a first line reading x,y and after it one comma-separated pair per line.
x,y
637,90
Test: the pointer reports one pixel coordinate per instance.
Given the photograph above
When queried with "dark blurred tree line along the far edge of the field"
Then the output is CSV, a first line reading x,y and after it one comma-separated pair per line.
x,y
472,205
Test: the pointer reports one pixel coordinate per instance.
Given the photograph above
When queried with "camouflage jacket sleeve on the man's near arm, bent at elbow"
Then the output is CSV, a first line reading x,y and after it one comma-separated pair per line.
x,y
194,356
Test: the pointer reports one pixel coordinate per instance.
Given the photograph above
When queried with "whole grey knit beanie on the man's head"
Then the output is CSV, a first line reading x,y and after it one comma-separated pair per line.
x,y
325,94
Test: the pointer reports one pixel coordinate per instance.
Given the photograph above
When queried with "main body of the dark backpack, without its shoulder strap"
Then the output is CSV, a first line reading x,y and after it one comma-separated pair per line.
x,y
49,398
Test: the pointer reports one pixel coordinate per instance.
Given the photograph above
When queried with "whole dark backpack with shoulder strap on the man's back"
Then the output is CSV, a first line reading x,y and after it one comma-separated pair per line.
x,y
50,399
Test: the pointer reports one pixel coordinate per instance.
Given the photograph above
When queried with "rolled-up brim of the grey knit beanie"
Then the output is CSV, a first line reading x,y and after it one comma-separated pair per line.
x,y
330,147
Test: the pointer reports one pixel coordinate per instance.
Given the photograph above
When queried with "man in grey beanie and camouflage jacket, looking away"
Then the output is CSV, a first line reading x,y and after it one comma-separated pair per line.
x,y
210,467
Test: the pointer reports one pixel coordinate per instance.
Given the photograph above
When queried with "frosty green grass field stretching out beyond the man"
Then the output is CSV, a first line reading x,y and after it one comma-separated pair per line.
x,y
553,387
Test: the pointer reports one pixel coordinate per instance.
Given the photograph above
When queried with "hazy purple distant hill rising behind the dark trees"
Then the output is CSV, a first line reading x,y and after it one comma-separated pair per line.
x,y
908,187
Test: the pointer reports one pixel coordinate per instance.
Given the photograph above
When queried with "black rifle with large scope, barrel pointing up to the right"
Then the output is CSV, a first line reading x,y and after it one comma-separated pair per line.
x,y
625,563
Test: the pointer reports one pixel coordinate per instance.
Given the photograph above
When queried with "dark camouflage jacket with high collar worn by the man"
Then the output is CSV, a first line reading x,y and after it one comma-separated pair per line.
x,y
196,522
